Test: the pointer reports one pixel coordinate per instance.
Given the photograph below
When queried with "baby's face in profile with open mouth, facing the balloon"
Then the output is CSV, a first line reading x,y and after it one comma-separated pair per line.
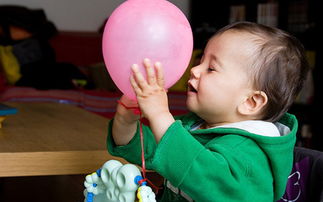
x,y
220,82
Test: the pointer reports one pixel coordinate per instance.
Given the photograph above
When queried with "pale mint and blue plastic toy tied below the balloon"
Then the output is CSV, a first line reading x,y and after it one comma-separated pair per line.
x,y
115,182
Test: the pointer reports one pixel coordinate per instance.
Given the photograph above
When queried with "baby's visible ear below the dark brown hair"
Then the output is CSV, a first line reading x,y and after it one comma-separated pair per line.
x,y
253,104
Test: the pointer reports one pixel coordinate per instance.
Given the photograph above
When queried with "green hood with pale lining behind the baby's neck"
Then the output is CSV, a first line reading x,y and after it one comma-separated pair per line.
x,y
273,147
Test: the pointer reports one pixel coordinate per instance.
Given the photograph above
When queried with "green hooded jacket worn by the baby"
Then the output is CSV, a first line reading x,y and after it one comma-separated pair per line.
x,y
217,164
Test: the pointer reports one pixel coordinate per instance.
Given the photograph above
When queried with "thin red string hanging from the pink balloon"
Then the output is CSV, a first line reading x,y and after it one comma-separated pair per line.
x,y
137,111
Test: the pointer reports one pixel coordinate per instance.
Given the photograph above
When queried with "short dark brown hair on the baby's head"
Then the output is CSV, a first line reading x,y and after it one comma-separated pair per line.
x,y
279,68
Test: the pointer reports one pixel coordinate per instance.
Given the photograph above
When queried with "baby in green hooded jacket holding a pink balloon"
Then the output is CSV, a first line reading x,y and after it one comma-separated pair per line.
x,y
237,142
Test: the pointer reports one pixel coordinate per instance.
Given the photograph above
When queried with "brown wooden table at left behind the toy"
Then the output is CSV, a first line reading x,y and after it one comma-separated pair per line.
x,y
52,139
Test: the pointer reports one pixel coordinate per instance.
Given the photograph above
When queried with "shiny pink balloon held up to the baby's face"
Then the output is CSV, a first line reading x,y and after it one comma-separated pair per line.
x,y
154,29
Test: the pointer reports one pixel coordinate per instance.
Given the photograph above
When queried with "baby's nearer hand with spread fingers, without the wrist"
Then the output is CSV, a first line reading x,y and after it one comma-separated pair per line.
x,y
150,92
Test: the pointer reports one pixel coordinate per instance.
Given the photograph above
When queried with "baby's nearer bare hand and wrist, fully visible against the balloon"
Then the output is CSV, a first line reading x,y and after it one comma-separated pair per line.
x,y
152,97
